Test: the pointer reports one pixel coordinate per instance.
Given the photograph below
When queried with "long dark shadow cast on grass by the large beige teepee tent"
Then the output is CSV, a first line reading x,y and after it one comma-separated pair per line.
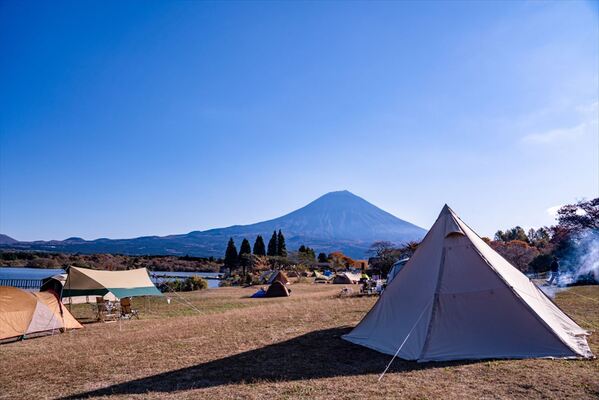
x,y
318,354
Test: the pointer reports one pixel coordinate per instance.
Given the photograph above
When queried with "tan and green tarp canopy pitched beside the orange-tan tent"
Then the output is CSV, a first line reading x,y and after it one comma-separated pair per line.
x,y
130,283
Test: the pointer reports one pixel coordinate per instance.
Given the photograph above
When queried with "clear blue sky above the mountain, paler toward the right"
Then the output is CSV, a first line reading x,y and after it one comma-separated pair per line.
x,y
120,119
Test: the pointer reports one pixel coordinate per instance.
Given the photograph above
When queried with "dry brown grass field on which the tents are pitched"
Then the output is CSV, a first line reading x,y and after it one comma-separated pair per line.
x,y
233,347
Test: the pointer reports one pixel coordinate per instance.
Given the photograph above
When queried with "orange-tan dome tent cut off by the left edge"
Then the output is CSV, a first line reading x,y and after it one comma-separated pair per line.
x,y
24,313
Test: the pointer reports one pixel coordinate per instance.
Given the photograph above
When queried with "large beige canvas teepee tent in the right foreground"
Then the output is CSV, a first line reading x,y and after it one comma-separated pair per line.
x,y
457,298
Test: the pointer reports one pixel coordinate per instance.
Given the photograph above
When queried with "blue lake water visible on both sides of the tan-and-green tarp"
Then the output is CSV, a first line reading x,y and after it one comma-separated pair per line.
x,y
31,278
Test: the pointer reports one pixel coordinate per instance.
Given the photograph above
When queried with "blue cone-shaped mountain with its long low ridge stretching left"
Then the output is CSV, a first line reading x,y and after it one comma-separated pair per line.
x,y
335,221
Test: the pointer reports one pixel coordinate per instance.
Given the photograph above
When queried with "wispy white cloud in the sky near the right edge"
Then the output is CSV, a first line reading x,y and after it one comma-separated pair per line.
x,y
588,114
